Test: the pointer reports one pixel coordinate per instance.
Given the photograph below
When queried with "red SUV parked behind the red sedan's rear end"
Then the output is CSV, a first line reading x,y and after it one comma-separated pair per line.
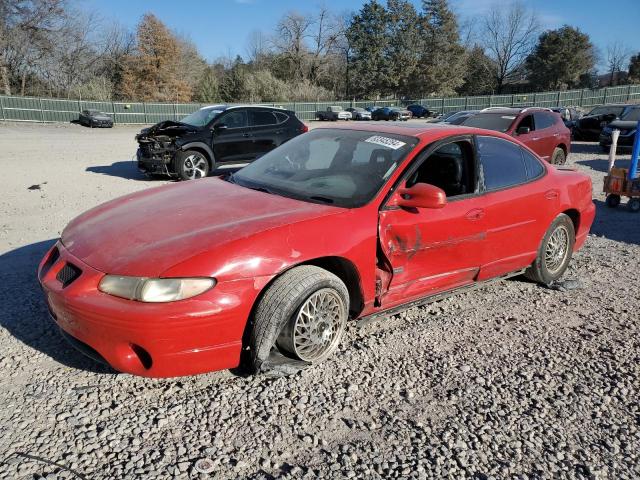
x,y
540,129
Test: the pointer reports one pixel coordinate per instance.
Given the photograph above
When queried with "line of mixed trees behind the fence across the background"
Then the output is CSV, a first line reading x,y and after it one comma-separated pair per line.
x,y
386,49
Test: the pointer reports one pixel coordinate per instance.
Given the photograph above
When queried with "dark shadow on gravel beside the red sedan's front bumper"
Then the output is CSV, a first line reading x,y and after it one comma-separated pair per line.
x,y
24,313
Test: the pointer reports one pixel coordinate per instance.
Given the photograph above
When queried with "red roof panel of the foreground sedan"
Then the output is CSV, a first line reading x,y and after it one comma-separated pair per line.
x,y
423,131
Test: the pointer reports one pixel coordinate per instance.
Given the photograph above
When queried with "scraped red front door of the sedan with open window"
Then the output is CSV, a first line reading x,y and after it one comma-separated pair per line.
x,y
427,251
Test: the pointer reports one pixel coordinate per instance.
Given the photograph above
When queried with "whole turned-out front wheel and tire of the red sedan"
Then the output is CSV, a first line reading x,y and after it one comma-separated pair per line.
x,y
281,310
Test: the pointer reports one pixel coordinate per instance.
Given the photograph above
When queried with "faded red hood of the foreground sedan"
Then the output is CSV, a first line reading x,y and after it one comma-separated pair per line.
x,y
146,233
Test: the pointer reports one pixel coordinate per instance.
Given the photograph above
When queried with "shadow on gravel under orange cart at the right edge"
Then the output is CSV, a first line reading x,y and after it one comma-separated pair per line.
x,y
617,224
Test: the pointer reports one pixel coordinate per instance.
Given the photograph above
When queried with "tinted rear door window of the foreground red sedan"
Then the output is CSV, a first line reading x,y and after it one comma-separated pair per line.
x,y
501,162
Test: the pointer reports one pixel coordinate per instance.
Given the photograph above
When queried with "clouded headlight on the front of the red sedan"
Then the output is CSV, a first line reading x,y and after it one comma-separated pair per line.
x,y
150,290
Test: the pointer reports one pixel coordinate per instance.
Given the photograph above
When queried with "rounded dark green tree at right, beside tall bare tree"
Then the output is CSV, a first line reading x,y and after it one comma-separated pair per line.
x,y
560,58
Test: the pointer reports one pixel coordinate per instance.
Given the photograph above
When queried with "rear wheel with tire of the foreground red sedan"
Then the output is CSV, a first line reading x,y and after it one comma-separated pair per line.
x,y
550,264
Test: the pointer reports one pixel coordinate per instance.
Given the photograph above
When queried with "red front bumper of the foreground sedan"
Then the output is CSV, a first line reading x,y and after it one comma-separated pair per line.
x,y
197,335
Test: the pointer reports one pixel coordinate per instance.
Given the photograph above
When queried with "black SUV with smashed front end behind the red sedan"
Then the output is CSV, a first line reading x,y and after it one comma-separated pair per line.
x,y
214,135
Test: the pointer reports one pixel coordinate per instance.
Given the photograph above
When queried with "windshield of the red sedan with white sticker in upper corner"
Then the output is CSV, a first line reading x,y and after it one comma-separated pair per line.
x,y
345,168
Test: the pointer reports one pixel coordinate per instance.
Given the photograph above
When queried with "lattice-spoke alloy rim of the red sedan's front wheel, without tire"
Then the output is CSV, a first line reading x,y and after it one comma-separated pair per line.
x,y
315,331
